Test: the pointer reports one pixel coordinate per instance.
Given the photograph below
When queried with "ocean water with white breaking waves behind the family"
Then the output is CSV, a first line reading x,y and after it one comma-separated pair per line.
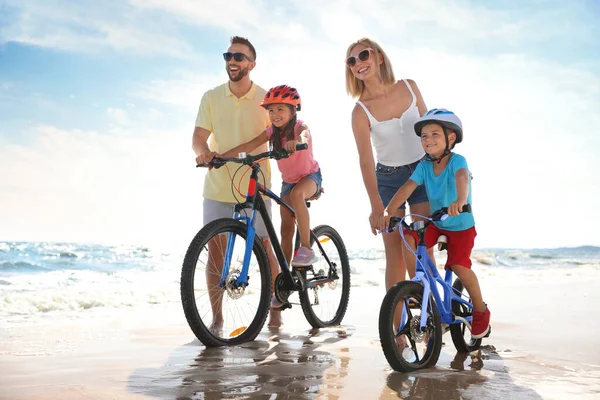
x,y
42,281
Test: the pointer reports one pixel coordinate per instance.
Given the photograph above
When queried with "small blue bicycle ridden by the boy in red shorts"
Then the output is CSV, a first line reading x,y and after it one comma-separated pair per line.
x,y
414,316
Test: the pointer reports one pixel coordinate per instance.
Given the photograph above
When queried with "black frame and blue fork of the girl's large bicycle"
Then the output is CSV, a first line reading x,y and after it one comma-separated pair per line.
x,y
255,202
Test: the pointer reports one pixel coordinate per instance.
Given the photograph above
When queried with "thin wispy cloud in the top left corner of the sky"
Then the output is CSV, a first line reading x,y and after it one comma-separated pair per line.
x,y
90,27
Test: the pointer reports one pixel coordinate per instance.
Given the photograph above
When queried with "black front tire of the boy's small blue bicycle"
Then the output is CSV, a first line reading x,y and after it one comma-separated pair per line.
x,y
387,331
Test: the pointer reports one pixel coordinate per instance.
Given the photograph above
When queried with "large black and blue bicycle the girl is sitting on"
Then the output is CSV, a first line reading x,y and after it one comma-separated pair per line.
x,y
226,280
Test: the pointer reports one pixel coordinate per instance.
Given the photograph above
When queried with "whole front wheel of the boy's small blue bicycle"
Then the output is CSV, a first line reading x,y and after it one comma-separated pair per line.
x,y
406,348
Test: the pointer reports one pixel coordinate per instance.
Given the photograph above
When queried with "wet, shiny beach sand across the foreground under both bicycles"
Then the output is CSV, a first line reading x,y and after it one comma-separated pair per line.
x,y
544,345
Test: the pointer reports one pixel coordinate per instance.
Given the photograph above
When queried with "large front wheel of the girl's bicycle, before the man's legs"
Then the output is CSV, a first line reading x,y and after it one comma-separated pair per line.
x,y
219,310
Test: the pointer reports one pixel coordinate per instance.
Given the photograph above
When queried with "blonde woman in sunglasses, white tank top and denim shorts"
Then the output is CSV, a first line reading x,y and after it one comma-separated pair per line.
x,y
383,119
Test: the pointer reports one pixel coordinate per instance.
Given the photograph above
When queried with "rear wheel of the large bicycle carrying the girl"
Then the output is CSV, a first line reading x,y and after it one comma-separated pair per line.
x,y
326,304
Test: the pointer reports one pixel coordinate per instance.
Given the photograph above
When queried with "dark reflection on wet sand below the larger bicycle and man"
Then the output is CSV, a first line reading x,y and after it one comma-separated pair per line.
x,y
283,365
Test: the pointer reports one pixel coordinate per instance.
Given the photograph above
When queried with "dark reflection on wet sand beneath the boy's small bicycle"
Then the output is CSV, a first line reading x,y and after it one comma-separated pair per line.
x,y
464,379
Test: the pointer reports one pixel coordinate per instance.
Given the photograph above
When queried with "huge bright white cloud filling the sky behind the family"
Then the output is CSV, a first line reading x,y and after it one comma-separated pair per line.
x,y
529,123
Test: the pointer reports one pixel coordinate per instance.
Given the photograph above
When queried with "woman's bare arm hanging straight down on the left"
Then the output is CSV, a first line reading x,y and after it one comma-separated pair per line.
x,y
362,136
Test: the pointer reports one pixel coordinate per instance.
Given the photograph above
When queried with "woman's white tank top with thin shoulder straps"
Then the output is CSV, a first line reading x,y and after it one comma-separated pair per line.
x,y
395,140
